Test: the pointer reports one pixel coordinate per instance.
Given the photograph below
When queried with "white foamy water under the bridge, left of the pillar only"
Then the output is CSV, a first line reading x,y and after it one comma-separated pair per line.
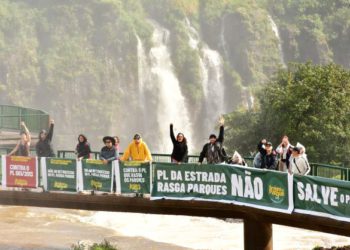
x,y
185,231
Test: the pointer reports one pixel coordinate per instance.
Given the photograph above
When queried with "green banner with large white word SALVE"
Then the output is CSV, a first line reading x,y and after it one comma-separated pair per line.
x,y
322,196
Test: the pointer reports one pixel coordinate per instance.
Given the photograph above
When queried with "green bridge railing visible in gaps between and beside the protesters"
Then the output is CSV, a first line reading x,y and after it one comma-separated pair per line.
x,y
317,169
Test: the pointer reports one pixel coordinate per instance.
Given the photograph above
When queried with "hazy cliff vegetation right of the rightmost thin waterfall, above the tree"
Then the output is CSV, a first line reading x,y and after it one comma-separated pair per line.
x,y
313,30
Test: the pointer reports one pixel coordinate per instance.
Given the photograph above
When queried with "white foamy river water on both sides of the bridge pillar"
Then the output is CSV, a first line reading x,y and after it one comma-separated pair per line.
x,y
206,233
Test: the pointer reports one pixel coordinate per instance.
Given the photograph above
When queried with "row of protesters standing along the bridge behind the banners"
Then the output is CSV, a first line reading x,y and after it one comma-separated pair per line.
x,y
285,158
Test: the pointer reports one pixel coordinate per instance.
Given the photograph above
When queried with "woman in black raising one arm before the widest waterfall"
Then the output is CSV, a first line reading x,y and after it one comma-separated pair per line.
x,y
180,150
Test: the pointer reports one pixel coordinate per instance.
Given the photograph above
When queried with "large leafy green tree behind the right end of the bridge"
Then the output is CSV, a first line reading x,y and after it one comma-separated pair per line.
x,y
309,103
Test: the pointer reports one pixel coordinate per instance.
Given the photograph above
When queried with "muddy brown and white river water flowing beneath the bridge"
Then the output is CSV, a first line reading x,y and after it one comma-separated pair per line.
x,y
44,228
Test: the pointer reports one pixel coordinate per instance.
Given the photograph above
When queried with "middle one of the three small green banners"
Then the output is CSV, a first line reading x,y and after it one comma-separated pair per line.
x,y
97,176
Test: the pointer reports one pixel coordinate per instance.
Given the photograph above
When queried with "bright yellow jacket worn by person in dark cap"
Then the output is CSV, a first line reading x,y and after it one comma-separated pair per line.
x,y
137,152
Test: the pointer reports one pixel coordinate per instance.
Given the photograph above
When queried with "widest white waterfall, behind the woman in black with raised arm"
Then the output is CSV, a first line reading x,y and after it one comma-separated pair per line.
x,y
171,102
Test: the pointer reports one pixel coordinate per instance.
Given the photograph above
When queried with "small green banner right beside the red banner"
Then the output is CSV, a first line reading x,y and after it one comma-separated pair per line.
x,y
61,174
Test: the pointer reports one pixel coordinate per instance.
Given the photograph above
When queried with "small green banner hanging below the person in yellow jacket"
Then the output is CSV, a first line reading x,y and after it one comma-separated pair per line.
x,y
133,177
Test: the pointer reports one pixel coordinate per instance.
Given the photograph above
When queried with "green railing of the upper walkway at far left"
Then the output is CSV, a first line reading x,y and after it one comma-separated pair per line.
x,y
12,116
